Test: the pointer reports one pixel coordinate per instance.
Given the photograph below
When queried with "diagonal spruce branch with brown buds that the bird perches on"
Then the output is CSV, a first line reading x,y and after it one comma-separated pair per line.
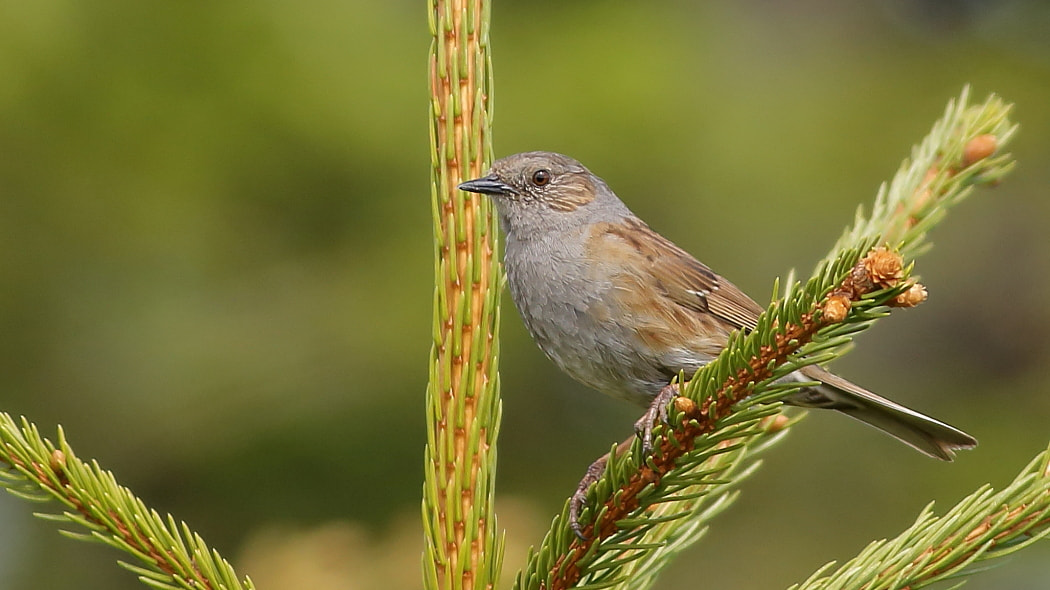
x,y
650,509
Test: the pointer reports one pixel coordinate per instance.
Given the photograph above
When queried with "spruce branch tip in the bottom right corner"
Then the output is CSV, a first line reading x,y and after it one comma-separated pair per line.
x,y
983,526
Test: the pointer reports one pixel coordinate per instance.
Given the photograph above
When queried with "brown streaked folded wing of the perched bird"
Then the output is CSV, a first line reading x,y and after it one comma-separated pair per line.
x,y
686,281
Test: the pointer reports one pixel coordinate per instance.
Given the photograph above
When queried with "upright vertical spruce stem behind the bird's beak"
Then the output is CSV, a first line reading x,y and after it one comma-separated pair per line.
x,y
463,547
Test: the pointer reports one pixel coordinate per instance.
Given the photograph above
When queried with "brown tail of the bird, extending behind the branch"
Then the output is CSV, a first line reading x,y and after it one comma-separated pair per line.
x,y
927,435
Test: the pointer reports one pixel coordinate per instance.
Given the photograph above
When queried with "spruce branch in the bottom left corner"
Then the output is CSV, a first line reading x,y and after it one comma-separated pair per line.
x,y
171,555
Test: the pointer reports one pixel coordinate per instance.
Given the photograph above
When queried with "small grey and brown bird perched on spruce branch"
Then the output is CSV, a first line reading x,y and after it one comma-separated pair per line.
x,y
624,310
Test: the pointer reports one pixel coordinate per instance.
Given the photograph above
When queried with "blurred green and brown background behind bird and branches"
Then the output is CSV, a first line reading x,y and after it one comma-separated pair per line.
x,y
216,261
